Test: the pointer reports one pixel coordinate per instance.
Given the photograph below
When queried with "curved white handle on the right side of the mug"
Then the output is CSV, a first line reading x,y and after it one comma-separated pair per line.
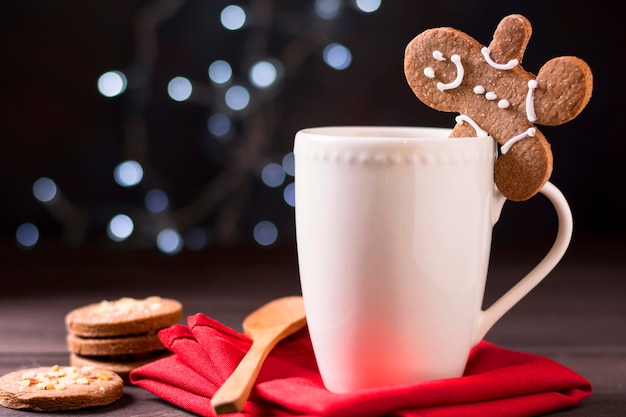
x,y
488,317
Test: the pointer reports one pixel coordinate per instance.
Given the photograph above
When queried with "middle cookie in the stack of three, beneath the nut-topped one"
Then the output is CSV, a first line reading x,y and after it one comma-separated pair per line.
x,y
126,345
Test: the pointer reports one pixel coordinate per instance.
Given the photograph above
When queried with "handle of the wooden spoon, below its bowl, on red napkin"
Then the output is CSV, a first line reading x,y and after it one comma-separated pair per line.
x,y
233,394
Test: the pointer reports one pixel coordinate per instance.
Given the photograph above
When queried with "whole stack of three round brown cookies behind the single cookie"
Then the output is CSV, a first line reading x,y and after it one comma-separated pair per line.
x,y
120,335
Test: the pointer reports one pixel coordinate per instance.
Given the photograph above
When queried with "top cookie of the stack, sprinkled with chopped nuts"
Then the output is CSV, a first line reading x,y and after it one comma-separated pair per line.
x,y
125,316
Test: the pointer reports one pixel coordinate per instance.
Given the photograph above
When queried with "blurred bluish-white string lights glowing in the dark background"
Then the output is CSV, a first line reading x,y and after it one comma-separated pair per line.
x,y
239,116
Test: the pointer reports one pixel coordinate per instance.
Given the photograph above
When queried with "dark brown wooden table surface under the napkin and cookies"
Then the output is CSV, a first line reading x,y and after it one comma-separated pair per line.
x,y
576,317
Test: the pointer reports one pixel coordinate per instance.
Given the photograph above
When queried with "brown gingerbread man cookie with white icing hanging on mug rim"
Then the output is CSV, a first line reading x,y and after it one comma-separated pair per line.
x,y
494,96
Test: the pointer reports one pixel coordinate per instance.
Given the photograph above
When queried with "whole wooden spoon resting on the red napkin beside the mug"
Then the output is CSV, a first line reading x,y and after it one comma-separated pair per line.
x,y
266,326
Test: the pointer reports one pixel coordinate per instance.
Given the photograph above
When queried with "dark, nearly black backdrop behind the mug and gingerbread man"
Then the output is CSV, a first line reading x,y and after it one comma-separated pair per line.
x,y
54,123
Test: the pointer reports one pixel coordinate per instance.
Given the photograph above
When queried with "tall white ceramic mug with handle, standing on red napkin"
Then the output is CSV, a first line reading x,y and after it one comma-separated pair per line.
x,y
393,233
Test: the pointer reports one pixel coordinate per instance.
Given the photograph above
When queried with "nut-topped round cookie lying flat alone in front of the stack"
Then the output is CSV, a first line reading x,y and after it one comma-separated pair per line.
x,y
59,388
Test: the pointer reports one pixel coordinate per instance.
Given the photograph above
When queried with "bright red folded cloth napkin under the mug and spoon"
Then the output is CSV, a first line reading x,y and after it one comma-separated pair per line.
x,y
497,382
